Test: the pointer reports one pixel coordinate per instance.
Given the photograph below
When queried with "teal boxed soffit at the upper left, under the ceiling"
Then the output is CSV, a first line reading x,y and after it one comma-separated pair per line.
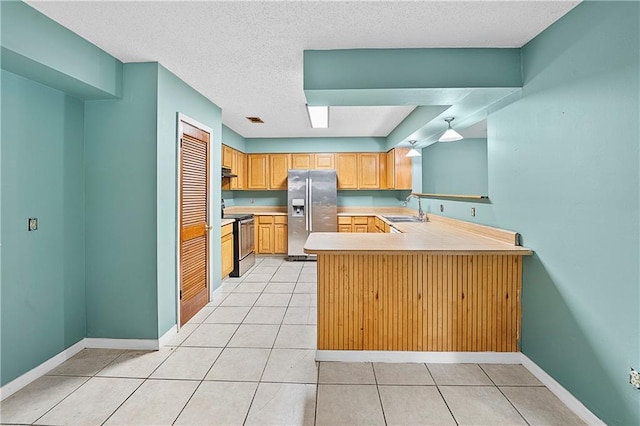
x,y
40,49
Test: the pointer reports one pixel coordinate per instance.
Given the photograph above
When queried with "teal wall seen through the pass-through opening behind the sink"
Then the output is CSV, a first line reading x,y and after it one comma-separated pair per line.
x,y
459,167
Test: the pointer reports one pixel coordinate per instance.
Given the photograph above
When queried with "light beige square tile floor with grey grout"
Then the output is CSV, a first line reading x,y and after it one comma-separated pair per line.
x,y
248,358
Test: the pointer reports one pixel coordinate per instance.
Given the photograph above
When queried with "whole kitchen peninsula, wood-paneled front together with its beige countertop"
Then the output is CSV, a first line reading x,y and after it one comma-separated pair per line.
x,y
443,285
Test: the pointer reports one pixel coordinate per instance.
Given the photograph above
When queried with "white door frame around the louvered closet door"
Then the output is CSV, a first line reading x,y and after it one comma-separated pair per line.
x,y
180,117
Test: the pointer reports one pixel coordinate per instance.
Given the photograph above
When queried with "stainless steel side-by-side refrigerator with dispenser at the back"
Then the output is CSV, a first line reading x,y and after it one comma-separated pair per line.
x,y
312,207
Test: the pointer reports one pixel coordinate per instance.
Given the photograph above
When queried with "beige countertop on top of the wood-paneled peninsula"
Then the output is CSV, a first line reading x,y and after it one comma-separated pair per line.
x,y
430,237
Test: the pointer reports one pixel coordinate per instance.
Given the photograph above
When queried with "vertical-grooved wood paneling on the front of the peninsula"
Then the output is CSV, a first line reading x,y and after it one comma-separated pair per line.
x,y
419,302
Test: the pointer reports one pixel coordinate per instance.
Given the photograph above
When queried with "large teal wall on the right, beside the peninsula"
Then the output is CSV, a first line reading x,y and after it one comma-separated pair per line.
x,y
564,171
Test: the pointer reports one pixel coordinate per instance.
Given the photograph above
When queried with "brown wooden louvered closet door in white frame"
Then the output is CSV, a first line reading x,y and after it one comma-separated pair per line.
x,y
194,235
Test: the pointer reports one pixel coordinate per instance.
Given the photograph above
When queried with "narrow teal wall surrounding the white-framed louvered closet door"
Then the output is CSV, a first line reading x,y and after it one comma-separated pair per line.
x,y
175,96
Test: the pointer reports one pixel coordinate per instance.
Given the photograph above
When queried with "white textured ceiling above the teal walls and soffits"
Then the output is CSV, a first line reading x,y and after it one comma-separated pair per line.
x,y
246,56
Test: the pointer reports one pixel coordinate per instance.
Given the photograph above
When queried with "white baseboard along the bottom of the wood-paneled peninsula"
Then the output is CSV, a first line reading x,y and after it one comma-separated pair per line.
x,y
422,357
